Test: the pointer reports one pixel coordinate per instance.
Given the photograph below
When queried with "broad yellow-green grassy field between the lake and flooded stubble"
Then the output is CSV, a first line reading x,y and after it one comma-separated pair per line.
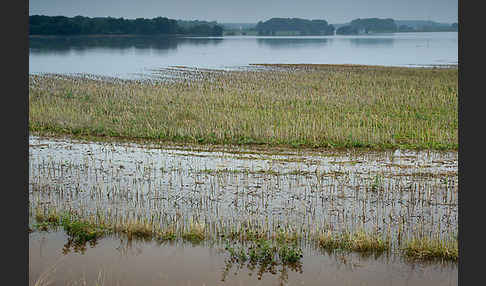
x,y
294,105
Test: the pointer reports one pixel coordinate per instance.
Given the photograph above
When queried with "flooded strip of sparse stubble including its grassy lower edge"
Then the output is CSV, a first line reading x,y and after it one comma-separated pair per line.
x,y
192,202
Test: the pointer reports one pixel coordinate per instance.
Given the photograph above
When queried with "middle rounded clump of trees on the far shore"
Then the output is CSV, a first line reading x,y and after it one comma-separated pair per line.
x,y
301,26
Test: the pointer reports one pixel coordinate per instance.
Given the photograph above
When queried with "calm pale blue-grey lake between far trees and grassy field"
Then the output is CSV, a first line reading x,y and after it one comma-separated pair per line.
x,y
132,57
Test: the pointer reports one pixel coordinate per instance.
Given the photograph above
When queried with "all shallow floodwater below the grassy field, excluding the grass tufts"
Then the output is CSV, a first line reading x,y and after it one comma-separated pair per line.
x,y
400,193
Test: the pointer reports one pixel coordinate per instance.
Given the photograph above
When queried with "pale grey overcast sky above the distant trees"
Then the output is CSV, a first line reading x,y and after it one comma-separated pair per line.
x,y
252,11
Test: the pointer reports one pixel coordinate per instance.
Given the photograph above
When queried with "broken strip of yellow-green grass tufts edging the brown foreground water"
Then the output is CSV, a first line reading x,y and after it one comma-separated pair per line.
x,y
250,243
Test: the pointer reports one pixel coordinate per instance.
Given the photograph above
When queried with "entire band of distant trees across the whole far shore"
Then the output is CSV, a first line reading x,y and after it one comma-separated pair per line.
x,y
79,25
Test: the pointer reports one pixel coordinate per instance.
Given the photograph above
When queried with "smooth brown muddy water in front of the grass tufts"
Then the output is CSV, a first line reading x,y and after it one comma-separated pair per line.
x,y
118,262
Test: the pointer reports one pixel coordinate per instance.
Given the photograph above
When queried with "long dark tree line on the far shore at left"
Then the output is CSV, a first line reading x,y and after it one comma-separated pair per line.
x,y
79,25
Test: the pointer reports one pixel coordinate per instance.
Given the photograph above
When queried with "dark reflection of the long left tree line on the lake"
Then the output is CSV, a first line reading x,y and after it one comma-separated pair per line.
x,y
63,45
